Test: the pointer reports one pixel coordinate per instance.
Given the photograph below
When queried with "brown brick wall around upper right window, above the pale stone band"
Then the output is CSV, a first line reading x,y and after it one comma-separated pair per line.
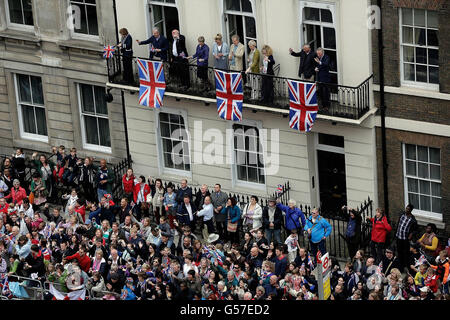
x,y
391,40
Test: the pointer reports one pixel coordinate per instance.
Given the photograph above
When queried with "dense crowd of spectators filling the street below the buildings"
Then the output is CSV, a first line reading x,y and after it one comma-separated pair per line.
x,y
161,242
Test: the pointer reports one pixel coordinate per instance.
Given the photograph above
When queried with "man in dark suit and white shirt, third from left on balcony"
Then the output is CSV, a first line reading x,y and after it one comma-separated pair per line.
x,y
179,64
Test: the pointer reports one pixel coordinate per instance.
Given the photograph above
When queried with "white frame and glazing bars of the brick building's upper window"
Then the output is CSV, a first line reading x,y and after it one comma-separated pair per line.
x,y
409,83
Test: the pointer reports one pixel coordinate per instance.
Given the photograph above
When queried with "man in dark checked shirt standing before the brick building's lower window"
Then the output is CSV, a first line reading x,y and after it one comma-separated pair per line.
x,y
406,229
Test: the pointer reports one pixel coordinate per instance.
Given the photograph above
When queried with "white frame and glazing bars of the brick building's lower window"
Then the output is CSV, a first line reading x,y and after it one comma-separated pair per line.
x,y
417,211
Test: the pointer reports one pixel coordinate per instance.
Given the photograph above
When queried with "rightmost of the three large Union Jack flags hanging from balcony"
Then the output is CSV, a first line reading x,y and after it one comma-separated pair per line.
x,y
303,105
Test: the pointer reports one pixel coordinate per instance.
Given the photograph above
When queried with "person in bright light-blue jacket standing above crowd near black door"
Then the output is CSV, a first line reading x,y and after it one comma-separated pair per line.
x,y
318,230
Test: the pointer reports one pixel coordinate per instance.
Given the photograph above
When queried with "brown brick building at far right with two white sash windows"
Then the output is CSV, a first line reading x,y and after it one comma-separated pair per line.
x,y
417,112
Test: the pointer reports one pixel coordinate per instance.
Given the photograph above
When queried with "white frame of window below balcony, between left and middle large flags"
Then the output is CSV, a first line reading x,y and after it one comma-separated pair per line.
x,y
162,168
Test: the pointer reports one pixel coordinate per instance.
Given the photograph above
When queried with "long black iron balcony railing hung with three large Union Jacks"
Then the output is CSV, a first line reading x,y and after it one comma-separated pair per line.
x,y
346,102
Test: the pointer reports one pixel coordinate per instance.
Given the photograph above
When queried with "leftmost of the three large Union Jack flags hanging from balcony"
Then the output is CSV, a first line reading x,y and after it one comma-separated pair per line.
x,y
152,83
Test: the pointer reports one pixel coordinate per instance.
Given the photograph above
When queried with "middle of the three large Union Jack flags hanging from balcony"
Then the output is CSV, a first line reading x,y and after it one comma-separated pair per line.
x,y
229,95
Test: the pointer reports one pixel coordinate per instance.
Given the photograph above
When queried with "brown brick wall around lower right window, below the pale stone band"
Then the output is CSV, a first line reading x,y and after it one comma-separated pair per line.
x,y
394,141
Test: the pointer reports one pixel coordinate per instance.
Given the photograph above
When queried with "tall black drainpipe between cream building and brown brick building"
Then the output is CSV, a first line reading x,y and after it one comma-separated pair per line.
x,y
383,111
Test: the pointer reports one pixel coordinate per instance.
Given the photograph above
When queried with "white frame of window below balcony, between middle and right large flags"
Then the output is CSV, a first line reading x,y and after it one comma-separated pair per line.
x,y
242,183
